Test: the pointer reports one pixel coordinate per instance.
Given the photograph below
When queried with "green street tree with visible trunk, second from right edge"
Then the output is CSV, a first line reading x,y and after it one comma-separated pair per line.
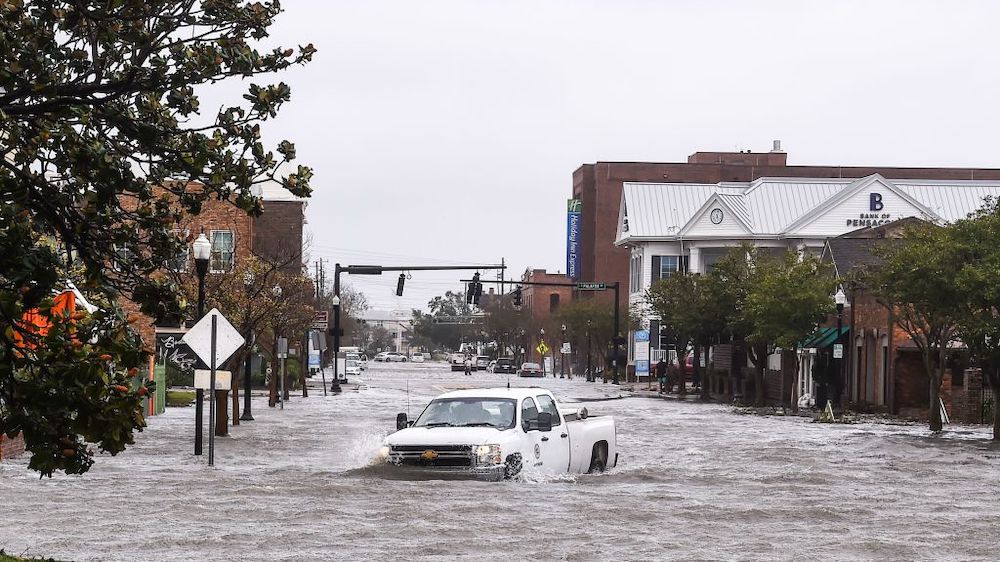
x,y
918,281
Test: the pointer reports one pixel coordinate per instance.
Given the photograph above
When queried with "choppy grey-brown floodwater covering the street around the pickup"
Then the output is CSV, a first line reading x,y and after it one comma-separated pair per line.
x,y
694,481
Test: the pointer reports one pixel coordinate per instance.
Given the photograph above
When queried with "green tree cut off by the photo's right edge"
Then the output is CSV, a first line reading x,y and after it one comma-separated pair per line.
x,y
975,243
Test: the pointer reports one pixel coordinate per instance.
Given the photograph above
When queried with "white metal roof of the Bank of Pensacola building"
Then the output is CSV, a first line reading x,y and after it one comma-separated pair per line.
x,y
779,206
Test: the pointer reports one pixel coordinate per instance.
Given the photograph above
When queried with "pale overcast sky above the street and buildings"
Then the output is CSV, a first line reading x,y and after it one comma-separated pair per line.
x,y
448,132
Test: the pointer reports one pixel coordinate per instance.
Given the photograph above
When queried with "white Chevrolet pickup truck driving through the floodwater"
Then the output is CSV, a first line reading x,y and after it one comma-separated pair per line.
x,y
496,433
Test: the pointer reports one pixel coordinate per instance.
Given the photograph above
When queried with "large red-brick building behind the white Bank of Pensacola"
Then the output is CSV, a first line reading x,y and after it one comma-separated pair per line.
x,y
599,187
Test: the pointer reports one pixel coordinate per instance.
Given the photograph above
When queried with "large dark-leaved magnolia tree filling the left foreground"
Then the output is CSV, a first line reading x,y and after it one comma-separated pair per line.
x,y
98,110
